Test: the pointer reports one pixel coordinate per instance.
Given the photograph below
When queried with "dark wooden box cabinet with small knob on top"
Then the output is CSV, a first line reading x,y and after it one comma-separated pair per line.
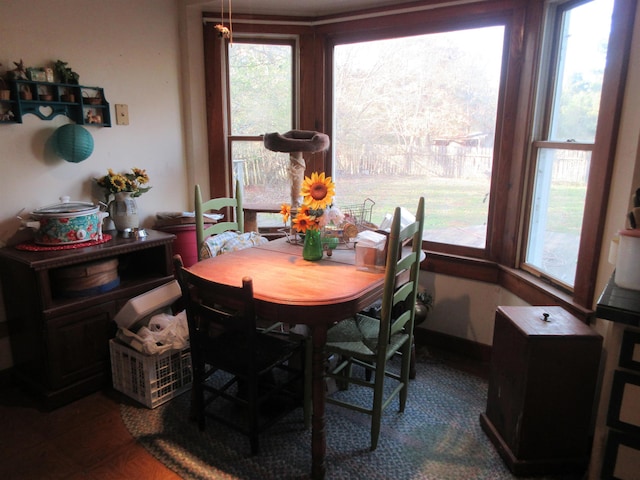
x,y
541,389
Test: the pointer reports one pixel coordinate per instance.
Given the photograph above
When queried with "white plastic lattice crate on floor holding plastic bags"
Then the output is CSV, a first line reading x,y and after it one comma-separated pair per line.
x,y
150,379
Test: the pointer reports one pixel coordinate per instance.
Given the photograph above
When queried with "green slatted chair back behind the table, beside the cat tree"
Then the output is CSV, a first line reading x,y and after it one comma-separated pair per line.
x,y
235,222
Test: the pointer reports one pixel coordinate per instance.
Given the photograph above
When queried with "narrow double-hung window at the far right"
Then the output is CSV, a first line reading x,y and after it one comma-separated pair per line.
x,y
567,107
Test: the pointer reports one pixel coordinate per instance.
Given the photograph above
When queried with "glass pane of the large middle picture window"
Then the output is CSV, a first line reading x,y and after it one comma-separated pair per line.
x,y
417,115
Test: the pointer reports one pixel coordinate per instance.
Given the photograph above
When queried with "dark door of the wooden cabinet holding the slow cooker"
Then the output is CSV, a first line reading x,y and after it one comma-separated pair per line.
x,y
78,344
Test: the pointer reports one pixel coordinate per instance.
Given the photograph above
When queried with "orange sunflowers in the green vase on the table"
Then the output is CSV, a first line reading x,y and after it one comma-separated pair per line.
x,y
317,209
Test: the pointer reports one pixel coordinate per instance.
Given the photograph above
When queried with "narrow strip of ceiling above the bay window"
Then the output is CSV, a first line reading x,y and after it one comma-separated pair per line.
x,y
305,8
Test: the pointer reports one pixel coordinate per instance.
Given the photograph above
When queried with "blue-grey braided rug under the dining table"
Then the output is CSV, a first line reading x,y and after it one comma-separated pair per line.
x,y
438,437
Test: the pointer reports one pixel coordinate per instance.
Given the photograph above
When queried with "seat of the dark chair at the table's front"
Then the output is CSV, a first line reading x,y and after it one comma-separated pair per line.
x,y
229,352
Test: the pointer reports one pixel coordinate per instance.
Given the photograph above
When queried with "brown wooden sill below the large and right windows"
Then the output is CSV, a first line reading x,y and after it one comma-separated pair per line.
x,y
522,284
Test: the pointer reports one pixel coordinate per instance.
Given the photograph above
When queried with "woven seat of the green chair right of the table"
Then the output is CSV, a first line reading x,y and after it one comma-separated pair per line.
x,y
358,337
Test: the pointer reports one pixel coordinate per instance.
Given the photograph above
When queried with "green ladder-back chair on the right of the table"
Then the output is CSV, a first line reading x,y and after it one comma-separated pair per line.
x,y
372,342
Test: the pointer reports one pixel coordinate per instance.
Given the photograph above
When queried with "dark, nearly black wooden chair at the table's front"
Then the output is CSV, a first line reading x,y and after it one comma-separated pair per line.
x,y
233,364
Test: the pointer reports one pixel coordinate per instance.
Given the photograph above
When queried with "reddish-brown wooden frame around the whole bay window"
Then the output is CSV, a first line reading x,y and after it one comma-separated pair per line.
x,y
500,262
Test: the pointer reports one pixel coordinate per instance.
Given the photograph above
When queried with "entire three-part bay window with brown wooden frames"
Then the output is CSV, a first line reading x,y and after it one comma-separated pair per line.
x,y
475,109
